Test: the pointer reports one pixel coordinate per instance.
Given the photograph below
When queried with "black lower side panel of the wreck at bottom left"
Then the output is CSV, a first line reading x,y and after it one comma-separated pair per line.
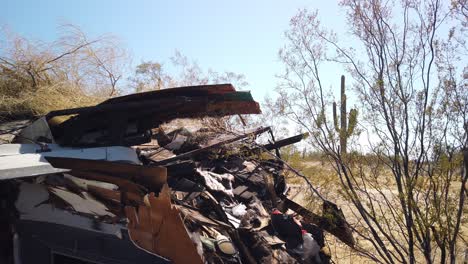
x,y
41,242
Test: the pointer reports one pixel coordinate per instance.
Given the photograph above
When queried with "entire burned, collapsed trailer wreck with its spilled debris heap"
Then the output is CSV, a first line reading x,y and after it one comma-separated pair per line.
x,y
112,184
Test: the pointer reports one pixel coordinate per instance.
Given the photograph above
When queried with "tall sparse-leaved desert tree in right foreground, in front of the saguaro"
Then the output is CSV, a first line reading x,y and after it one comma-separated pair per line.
x,y
406,195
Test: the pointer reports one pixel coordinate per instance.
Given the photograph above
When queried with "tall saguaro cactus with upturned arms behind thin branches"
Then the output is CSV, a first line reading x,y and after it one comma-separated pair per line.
x,y
347,124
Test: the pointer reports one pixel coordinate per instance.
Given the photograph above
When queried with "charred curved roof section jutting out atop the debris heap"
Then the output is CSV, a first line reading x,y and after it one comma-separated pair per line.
x,y
128,120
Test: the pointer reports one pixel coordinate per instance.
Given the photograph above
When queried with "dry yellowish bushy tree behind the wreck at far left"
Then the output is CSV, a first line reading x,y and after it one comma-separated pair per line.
x,y
64,73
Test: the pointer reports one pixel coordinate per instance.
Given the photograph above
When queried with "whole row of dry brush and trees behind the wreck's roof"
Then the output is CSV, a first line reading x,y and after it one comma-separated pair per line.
x,y
76,70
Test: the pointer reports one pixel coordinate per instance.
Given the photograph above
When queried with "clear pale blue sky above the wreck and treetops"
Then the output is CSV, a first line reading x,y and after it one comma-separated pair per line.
x,y
240,36
